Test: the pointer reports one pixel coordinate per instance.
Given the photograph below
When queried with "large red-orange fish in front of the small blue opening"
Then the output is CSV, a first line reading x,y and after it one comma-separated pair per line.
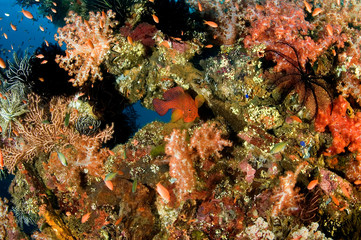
x,y
182,103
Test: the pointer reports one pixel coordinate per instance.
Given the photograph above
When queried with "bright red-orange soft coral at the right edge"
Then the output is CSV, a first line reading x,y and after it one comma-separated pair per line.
x,y
345,128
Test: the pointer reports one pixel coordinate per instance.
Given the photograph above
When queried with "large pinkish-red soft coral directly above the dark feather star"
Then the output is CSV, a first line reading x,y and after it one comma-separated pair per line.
x,y
285,22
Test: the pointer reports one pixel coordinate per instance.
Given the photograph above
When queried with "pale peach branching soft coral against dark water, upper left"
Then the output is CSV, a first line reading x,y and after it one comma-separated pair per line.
x,y
87,43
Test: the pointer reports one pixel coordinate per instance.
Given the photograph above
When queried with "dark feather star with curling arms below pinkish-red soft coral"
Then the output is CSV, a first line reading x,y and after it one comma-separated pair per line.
x,y
299,79
